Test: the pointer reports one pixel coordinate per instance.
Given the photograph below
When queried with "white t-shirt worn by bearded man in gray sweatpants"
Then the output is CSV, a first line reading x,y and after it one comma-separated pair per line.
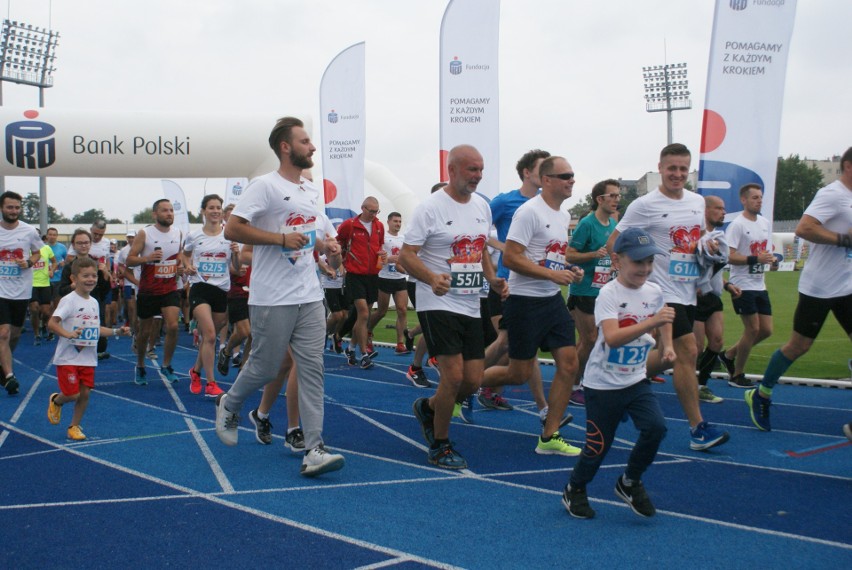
x,y
282,276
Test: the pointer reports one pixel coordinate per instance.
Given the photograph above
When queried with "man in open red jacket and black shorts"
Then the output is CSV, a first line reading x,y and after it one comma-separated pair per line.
x,y
361,239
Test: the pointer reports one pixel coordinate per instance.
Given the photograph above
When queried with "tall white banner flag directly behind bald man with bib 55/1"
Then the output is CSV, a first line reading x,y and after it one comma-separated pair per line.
x,y
470,114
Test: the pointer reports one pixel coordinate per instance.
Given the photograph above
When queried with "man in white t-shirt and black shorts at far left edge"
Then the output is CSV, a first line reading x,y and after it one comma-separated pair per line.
x,y
19,250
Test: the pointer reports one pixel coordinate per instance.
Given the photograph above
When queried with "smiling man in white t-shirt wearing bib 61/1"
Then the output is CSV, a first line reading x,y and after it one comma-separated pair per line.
x,y
674,217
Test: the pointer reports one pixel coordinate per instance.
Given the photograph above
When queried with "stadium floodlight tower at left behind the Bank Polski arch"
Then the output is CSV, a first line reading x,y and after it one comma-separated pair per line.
x,y
27,54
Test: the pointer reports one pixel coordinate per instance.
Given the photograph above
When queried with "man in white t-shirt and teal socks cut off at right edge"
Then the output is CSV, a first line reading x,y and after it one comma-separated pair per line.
x,y
824,285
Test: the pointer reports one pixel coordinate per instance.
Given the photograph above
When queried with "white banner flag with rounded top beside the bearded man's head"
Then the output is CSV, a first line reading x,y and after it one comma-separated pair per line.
x,y
343,132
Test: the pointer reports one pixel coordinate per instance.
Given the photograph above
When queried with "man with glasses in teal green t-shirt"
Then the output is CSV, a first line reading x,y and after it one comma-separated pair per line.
x,y
588,250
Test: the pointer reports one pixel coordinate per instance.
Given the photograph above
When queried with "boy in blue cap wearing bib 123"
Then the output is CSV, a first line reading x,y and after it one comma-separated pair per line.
x,y
628,308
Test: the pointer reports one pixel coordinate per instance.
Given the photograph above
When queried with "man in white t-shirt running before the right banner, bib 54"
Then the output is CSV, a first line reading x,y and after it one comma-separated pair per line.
x,y
750,239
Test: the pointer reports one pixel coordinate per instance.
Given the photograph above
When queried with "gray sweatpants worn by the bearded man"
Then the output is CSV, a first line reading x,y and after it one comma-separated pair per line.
x,y
273,329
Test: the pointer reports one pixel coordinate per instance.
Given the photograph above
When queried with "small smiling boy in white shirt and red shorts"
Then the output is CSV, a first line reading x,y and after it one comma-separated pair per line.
x,y
75,321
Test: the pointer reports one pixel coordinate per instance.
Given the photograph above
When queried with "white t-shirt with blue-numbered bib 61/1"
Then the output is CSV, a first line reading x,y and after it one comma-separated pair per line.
x,y
675,226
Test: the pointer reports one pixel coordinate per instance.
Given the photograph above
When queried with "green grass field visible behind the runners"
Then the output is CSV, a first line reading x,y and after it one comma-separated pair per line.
x,y
828,358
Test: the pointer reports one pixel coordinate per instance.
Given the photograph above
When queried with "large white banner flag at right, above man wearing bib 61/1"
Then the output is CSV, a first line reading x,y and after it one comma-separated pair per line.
x,y
745,91
